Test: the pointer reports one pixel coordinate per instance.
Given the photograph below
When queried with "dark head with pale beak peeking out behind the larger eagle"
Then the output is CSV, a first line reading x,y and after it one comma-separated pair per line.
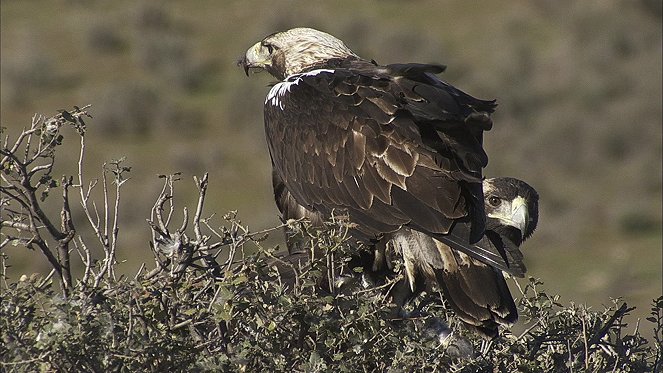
x,y
512,203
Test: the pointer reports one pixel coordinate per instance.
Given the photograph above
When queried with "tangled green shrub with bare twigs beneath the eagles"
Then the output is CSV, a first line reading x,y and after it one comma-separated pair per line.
x,y
215,297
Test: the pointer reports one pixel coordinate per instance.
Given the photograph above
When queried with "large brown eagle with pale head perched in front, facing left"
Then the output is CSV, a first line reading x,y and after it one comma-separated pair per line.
x,y
396,150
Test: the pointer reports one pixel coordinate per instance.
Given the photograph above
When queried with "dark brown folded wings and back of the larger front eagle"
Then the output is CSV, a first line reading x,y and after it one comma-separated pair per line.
x,y
393,147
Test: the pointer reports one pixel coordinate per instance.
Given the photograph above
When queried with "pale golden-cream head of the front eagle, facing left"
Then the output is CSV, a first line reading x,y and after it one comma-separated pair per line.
x,y
294,51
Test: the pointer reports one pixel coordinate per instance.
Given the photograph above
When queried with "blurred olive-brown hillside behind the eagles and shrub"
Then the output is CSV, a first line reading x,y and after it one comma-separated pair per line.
x,y
578,84
